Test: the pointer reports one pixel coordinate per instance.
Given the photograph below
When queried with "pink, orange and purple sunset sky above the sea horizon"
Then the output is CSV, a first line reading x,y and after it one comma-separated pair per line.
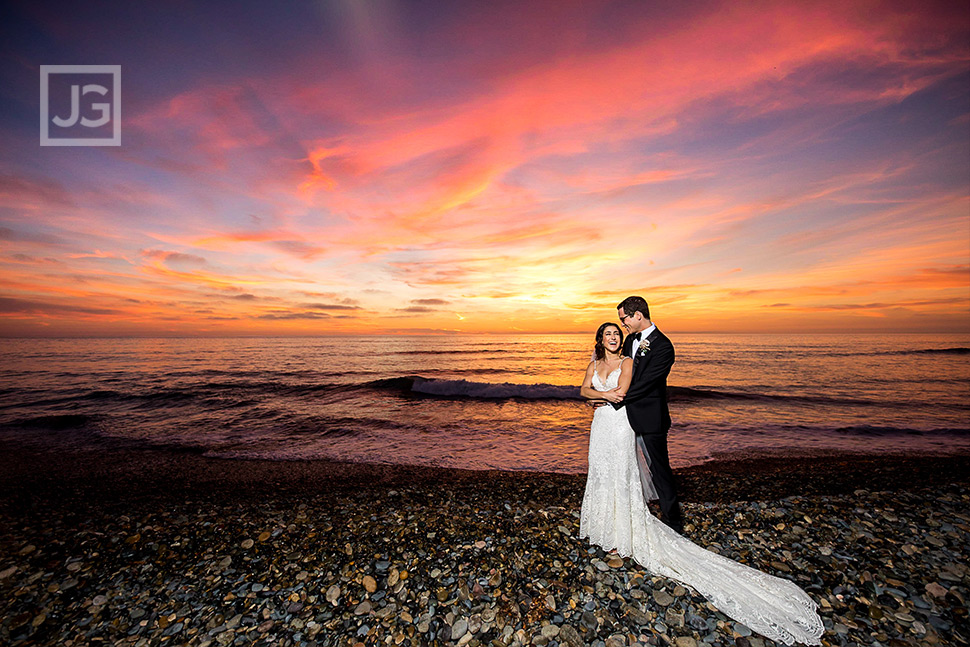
x,y
348,167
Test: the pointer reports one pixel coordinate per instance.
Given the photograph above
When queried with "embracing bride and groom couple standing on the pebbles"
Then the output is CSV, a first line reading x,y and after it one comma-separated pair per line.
x,y
628,465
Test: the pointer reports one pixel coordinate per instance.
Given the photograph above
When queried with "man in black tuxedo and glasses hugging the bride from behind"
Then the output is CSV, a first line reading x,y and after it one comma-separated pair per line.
x,y
646,399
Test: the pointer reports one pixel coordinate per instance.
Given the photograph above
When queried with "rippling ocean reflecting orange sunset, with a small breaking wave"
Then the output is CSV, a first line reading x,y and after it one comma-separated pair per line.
x,y
479,401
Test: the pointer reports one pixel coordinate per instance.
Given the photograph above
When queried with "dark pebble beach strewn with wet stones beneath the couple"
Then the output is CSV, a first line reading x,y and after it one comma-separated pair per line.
x,y
171,548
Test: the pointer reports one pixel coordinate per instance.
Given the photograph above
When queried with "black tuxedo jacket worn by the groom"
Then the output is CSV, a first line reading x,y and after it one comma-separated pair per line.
x,y
646,401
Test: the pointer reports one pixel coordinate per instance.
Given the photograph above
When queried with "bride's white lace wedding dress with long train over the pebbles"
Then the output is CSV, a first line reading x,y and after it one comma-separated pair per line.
x,y
615,517
